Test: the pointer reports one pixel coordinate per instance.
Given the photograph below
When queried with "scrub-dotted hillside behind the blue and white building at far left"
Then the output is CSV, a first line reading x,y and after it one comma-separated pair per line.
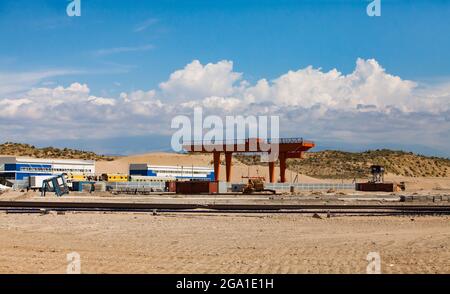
x,y
18,149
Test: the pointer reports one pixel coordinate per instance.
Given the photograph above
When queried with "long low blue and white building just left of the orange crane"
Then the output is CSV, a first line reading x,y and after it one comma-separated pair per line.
x,y
157,172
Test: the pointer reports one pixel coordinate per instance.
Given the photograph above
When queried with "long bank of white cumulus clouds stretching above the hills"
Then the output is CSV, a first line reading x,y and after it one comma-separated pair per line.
x,y
368,105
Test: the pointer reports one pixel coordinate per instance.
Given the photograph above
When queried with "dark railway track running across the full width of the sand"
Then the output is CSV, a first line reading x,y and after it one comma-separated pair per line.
x,y
372,209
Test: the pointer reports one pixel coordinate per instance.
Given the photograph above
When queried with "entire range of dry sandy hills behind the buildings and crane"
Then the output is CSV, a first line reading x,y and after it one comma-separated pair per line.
x,y
324,164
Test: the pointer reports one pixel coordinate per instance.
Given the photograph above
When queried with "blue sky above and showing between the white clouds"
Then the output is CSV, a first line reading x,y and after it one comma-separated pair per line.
x,y
126,46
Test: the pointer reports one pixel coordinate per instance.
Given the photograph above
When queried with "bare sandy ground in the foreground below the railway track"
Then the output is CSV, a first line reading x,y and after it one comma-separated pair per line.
x,y
196,243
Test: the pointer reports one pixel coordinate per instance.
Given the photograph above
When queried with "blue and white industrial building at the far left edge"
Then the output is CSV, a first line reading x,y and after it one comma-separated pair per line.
x,y
21,168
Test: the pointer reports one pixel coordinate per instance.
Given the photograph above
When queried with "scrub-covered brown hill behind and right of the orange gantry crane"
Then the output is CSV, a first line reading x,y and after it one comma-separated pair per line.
x,y
347,165
